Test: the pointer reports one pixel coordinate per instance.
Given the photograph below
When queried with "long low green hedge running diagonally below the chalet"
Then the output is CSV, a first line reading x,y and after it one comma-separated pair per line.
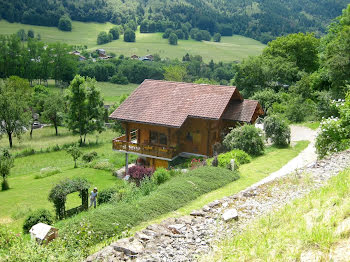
x,y
170,196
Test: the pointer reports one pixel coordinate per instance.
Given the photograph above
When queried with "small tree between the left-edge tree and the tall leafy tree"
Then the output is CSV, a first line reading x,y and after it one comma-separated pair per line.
x,y
53,109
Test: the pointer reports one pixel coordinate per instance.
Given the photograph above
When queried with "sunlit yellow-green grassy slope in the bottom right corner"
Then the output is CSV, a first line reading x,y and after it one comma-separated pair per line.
x,y
307,225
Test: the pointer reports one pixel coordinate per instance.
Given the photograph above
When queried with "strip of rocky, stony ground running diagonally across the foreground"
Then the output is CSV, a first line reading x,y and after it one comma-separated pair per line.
x,y
186,238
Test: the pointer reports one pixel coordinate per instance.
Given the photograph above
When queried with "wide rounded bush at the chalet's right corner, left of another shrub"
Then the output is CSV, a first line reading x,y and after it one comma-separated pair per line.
x,y
247,138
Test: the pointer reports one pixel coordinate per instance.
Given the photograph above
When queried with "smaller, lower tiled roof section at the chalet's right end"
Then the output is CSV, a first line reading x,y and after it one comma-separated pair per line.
x,y
241,111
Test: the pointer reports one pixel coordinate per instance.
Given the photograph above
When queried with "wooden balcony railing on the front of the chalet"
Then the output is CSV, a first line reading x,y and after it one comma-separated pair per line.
x,y
121,144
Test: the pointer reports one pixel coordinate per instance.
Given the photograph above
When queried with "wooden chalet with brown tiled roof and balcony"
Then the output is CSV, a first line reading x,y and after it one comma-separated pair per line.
x,y
163,120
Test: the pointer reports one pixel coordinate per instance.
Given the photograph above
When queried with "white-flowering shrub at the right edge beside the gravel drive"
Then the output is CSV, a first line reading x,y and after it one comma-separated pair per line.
x,y
331,138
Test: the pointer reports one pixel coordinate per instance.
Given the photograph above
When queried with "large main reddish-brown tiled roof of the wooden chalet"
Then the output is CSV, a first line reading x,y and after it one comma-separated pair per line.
x,y
171,103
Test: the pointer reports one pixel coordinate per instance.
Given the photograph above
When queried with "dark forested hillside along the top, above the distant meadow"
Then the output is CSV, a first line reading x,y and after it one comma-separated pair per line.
x,y
262,20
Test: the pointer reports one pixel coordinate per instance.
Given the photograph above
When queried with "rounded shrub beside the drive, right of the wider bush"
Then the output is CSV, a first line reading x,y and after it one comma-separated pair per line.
x,y
277,130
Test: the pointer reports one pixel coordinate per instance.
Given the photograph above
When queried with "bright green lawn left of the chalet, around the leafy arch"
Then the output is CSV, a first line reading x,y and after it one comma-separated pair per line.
x,y
28,193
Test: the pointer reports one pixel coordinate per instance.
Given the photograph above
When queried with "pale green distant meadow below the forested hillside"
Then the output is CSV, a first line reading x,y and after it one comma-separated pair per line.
x,y
230,49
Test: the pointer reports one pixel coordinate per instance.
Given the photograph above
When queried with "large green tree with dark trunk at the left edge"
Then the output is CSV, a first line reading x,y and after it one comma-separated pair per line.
x,y
14,109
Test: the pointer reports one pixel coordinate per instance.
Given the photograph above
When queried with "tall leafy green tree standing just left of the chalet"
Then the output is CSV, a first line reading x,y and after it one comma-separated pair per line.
x,y
85,110
